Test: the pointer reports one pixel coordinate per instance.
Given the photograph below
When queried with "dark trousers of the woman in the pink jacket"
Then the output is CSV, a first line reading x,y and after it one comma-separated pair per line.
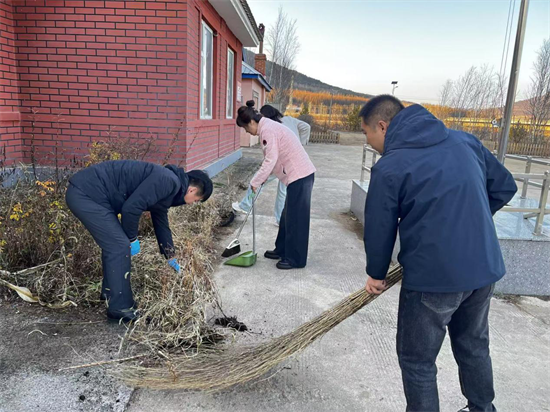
x,y
293,237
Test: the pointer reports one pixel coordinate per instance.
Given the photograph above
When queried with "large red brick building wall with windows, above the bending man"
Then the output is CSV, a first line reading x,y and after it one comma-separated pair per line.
x,y
126,68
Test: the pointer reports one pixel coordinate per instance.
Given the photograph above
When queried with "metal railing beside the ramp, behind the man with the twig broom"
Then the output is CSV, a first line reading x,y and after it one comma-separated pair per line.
x,y
527,179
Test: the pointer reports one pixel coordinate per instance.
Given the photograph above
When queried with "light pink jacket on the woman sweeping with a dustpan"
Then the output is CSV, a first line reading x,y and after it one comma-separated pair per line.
x,y
284,155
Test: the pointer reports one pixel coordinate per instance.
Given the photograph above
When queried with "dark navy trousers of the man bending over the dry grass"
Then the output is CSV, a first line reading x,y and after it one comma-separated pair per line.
x,y
105,228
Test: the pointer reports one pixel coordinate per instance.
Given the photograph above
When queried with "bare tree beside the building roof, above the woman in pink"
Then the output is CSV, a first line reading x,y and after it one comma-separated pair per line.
x,y
283,47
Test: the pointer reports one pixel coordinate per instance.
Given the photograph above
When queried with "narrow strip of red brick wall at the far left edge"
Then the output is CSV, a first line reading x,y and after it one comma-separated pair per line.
x,y
10,137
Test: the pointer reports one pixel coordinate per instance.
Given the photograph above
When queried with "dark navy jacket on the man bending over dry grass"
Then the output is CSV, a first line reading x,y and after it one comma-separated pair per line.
x,y
129,188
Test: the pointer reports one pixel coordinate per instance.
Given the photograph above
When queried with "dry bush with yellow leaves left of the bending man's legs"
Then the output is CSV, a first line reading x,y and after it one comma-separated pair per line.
x,y
37,229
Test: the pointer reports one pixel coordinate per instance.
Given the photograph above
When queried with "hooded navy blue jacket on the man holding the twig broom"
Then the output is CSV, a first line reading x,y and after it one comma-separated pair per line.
x,y
440,187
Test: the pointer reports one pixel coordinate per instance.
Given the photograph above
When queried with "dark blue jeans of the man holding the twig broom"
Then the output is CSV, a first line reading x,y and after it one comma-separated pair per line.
x,y
421,326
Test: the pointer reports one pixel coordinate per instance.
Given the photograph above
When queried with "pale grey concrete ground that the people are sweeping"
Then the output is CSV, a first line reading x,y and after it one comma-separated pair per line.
x,y
353,368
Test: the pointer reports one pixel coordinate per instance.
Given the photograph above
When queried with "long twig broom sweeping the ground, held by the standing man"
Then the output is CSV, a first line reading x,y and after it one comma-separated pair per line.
x,y
220,370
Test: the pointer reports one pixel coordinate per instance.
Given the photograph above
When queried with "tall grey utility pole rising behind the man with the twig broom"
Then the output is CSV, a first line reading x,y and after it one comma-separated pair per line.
x,y
512,86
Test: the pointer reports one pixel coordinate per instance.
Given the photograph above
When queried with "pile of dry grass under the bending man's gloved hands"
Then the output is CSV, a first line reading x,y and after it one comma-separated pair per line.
x,y
174,305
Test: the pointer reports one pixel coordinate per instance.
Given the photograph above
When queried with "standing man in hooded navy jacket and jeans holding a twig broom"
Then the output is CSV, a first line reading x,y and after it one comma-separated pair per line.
x,y
440,188
